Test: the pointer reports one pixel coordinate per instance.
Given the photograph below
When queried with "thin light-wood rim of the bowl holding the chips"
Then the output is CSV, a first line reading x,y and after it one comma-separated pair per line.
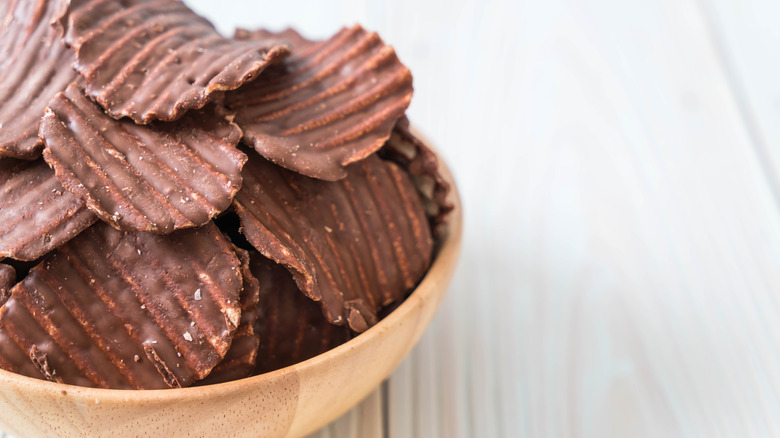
x,y
449,243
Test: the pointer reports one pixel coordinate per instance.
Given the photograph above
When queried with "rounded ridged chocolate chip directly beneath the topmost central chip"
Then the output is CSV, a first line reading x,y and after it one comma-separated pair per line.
x,y
158,178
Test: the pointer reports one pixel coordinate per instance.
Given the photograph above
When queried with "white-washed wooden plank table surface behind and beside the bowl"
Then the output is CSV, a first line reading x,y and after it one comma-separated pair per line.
x,y
620,169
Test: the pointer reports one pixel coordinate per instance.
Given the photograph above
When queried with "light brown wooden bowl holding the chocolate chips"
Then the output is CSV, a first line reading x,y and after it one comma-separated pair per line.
x,y
290,402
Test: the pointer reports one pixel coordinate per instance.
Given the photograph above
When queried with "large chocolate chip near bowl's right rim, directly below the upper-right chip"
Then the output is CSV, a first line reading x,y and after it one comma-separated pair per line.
x,y
356,245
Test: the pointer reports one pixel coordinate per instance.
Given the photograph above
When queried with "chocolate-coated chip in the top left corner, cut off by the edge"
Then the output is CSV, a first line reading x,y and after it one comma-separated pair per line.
x,y
34,66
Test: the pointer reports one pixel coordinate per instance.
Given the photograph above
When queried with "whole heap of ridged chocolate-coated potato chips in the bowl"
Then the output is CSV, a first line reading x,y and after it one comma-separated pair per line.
x,y
180,208
